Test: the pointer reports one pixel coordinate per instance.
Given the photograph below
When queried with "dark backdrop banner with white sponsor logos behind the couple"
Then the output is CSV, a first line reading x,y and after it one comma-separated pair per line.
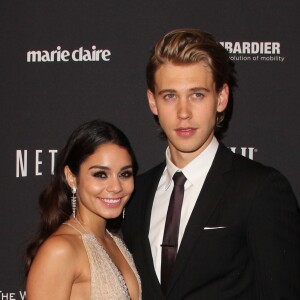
x,y
66,62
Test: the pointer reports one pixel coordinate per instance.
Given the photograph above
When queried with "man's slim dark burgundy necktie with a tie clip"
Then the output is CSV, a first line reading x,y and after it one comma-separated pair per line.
x,y
170,240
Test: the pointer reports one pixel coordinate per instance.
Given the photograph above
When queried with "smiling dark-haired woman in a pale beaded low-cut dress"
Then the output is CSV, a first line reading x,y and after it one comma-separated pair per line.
x,y
74,255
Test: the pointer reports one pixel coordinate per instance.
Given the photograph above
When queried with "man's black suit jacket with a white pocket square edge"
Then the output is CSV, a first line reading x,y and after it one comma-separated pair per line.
x,y
255,256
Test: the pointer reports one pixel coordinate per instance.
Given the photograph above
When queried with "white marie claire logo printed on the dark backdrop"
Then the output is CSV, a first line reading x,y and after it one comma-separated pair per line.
x,y
77,55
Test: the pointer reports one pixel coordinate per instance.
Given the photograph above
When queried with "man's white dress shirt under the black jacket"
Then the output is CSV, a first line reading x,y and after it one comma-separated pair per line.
x,y
195,173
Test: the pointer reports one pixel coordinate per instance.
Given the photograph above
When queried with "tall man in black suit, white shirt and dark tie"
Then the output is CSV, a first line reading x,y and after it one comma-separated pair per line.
x,y
239,228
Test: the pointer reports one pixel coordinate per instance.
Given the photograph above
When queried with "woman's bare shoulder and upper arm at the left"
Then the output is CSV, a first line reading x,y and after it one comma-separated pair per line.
x,y
56,255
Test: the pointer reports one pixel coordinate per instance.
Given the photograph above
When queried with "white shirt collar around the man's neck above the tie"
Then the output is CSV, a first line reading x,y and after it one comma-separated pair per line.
x,y
195,169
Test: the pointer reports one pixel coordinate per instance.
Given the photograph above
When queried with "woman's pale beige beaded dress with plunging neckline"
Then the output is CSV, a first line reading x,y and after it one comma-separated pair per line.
x,y
107,281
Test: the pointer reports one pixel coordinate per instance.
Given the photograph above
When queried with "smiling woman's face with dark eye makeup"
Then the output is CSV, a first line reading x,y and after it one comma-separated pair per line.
x,y
105,182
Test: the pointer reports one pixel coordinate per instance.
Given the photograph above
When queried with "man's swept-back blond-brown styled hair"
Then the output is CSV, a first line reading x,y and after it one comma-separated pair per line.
x,y
186,46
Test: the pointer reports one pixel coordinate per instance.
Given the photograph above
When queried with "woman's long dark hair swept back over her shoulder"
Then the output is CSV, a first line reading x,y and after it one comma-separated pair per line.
x,y
54,201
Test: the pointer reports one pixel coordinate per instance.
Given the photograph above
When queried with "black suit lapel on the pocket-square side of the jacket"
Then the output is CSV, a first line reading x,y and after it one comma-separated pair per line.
x,y
211,193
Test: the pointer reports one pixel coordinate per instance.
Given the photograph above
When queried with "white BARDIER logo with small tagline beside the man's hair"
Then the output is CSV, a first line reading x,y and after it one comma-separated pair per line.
x,y
254,51
